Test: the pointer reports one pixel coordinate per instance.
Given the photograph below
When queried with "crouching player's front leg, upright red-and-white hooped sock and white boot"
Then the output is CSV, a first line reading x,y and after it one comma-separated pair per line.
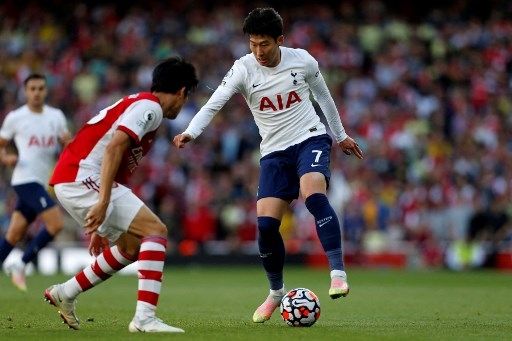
x,y
151,257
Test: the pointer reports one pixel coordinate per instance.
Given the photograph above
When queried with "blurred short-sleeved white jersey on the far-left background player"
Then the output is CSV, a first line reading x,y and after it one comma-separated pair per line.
x,y
36,136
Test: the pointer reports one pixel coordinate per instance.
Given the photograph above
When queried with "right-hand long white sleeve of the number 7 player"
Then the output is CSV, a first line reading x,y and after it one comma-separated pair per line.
x,y
323,97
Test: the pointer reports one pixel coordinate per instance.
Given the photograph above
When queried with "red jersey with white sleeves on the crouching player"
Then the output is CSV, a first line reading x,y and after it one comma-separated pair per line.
x,y
138,115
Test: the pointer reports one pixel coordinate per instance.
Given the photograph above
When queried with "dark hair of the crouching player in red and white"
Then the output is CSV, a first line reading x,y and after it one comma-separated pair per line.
x,y
172,74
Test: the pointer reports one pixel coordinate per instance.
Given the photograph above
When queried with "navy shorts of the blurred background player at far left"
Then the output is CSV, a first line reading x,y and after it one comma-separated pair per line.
x,y
32,200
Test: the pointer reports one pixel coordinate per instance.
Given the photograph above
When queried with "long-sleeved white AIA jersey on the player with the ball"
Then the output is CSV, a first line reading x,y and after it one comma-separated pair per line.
x,y
279,99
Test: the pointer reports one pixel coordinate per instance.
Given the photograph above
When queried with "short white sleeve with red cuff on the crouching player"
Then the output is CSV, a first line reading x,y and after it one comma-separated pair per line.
x,y
140,118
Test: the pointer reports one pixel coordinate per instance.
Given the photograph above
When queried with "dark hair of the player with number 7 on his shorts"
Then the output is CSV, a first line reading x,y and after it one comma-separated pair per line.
x,y
264,21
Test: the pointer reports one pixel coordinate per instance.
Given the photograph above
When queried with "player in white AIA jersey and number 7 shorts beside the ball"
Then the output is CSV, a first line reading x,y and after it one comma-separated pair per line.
x,y
276,82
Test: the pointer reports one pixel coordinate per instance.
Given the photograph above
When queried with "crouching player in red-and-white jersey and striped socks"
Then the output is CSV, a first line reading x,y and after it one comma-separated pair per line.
x,y
88,182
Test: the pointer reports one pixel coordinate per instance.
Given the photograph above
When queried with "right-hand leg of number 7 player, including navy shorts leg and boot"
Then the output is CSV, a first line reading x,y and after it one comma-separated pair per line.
x,y
314,162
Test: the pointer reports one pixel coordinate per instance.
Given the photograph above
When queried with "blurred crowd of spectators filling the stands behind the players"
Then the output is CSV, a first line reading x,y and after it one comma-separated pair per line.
x,y
426,94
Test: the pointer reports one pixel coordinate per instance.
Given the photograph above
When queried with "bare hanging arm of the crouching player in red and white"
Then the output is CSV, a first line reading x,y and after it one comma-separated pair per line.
x,y
111,160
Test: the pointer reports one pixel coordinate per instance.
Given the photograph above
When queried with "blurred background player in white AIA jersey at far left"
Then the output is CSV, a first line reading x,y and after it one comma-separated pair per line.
x,y
38,130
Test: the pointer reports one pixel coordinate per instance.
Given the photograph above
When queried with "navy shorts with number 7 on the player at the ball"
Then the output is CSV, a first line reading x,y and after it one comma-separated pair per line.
x,y
280,171
